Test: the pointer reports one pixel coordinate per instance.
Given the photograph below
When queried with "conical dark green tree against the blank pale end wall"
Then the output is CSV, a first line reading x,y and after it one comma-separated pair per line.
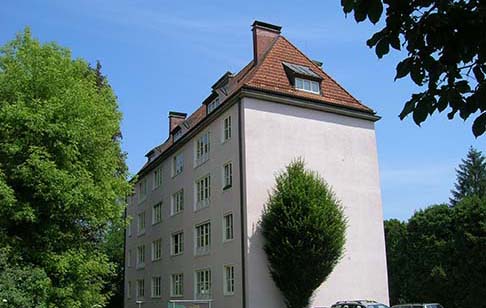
x,y
303,226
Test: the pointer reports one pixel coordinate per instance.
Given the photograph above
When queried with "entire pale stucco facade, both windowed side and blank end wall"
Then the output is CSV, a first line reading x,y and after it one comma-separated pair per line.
x,y
341,147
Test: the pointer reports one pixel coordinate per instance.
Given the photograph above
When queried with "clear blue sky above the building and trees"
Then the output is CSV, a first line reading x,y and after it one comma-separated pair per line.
x,y
165,55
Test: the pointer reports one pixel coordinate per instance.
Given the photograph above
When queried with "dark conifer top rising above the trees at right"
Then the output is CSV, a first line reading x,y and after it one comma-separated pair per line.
x,y
471,177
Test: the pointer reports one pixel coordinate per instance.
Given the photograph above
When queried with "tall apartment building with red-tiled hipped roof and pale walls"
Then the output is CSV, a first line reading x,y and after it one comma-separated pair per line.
x,y
194,230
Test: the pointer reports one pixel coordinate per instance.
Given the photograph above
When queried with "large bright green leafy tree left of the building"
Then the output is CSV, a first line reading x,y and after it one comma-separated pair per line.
x,y
62,171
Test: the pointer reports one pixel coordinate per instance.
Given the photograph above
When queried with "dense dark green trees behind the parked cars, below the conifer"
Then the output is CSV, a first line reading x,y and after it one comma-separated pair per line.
x,y
438,255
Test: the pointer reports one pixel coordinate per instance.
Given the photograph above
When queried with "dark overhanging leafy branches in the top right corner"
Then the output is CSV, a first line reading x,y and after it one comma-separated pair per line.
x,y
445,41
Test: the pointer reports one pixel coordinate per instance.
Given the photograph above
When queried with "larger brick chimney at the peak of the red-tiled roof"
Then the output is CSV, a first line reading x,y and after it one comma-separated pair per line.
x,y
264,35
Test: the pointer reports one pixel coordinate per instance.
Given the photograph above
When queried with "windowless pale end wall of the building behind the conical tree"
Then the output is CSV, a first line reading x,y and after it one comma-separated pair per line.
x,y
343,151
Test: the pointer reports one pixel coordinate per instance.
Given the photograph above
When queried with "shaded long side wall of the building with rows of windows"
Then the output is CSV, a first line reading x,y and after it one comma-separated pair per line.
x,y
222,202
